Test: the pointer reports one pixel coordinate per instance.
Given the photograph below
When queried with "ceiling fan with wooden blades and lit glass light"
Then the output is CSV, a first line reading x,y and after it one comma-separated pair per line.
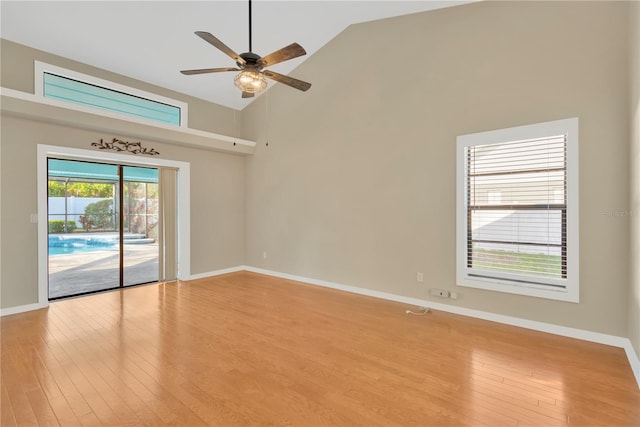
x,y
251,78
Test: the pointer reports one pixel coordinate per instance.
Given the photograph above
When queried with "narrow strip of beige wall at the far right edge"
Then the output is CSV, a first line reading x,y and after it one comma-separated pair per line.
x,y
634,288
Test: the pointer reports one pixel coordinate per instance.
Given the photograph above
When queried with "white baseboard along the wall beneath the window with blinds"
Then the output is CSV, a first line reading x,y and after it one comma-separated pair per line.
x,y
612,340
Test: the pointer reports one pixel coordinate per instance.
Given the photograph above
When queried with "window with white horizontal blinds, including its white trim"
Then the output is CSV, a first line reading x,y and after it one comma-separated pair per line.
x,y
517,208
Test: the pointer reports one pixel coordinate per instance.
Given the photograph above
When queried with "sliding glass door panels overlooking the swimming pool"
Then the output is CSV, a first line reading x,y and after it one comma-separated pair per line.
x,y
103,226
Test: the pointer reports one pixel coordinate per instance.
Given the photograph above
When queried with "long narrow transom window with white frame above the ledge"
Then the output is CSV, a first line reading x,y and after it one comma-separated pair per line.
x,y
90,93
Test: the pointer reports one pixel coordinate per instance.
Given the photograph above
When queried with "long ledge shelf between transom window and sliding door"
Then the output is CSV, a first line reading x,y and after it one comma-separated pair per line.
x,y
26,105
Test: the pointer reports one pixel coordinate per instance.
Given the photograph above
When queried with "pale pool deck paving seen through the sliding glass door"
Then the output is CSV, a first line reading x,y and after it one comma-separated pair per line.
x,y
72,274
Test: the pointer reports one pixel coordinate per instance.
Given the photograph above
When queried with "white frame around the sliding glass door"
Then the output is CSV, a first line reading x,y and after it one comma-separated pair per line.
x,y
183,203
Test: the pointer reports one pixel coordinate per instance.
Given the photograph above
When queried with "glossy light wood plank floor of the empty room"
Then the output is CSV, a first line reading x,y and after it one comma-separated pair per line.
x,y
245,349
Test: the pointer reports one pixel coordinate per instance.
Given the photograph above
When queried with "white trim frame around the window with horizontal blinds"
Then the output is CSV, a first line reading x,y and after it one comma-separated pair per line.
x,y
568,127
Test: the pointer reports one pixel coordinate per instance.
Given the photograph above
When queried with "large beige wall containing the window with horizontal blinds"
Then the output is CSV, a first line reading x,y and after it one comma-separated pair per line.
x,y
357,184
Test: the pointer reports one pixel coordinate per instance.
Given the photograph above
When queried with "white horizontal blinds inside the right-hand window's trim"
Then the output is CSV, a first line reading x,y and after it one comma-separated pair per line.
x,y
524,231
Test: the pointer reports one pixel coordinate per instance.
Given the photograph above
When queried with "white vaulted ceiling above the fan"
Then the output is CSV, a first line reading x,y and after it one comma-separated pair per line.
x,y
153,40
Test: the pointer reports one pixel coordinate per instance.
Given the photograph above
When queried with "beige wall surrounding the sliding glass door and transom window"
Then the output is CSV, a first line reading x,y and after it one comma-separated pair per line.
x,y
217,180
